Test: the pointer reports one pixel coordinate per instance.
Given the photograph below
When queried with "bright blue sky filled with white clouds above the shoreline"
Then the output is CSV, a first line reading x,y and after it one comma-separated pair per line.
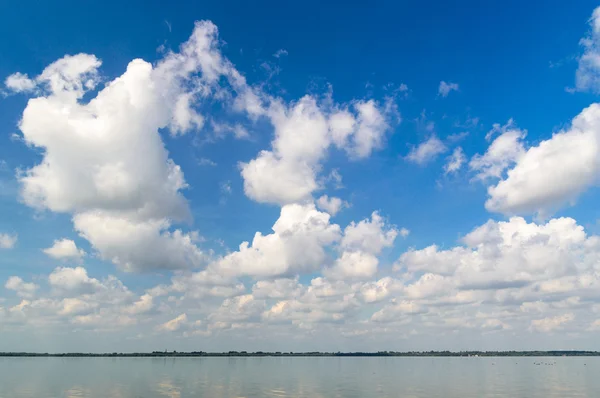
x,y
282,176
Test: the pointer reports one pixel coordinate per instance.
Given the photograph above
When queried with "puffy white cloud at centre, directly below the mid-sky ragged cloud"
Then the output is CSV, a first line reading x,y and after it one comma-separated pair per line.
x,y
297,244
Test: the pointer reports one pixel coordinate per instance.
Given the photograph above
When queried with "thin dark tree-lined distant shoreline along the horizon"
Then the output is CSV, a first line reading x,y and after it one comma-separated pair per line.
x,y
172,354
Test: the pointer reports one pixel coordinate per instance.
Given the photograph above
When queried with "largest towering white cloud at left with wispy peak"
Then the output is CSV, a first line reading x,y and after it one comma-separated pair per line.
x,y
103,158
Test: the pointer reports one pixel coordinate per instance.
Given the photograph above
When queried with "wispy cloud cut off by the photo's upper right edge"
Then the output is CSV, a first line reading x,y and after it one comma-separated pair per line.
x,y
588,72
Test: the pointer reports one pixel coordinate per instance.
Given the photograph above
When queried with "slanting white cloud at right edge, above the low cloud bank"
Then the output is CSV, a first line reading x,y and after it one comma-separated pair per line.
x,y
547,176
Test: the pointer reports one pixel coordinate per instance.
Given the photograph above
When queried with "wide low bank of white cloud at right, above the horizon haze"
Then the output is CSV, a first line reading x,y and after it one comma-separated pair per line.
x,y
510,255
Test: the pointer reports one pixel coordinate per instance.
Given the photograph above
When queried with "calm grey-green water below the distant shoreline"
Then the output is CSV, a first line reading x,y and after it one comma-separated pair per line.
x,y
299,377
